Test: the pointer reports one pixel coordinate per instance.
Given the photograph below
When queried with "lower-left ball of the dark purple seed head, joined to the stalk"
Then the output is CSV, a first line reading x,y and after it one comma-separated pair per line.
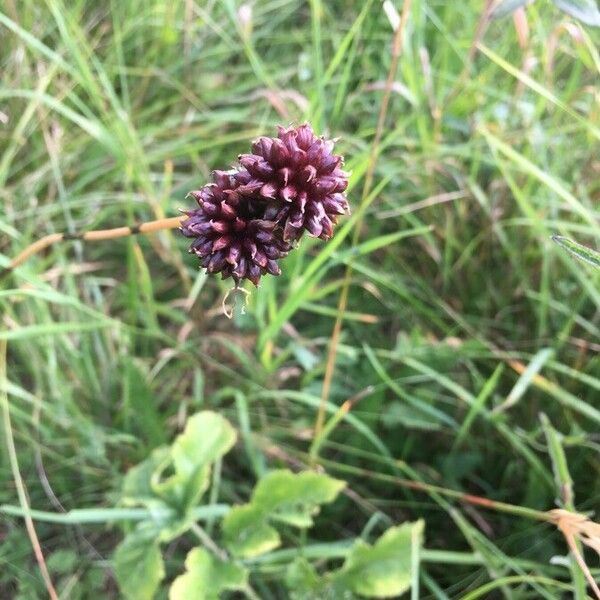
x,y
232,234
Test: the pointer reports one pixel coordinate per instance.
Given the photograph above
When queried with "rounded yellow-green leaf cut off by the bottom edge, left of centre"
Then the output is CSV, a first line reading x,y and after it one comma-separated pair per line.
x,y
138,565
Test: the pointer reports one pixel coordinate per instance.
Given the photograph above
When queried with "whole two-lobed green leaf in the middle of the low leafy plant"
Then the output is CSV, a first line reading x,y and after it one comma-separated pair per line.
x,y
279,496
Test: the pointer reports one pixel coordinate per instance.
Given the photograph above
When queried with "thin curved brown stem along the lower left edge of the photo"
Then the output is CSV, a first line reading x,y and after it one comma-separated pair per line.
x,y
14,464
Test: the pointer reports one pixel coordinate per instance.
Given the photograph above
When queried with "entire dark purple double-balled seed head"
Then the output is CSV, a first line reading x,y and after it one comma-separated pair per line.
x,y
250,217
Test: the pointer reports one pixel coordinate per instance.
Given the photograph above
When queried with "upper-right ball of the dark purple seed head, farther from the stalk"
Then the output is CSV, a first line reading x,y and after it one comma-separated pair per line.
x,y
302,177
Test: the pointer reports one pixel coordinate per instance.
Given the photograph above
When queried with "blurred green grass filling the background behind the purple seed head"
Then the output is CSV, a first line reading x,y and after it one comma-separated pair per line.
x,y
464,324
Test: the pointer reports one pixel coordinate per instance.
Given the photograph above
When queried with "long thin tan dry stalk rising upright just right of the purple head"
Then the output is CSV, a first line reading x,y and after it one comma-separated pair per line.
x,y
343,301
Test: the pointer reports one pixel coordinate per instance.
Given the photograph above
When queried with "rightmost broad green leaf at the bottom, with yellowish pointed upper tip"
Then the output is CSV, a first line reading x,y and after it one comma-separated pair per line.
x,y
383,570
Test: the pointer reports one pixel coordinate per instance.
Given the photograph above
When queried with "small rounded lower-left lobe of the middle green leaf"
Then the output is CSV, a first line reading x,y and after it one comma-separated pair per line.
x,y
247,533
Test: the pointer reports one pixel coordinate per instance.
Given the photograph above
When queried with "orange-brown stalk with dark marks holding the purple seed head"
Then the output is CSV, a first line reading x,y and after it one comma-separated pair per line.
x,y
92,236
